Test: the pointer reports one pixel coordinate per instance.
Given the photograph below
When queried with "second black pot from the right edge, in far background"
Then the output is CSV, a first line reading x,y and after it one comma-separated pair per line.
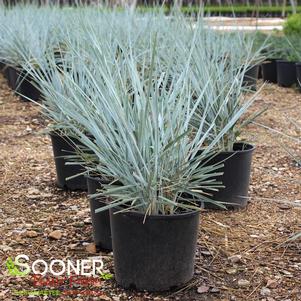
x,y
286,73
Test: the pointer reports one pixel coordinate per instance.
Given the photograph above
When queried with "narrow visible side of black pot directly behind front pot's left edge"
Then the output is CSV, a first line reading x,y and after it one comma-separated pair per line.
x,y
100,221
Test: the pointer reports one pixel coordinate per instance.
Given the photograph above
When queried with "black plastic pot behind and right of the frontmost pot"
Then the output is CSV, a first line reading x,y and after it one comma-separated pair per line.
x,y
235,178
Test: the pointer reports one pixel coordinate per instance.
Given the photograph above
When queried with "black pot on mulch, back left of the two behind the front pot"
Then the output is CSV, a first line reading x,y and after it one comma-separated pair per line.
x,y
63,146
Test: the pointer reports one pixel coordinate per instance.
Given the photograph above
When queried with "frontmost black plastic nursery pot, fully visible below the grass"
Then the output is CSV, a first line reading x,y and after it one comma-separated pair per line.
x,y
157,255
